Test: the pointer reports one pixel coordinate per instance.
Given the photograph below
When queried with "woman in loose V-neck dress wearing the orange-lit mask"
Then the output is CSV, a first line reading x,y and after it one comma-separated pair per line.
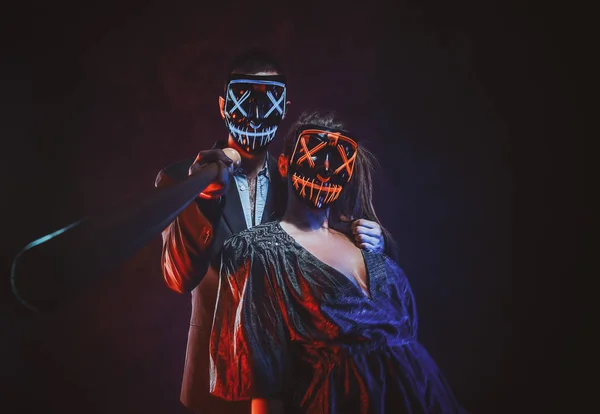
x,y
306,322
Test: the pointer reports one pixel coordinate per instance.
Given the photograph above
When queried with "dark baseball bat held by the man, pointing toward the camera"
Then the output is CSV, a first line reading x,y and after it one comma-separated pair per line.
x,y
53,269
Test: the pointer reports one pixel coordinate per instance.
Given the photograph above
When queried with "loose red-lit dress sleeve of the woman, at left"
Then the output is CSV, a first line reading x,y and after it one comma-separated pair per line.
x,y
249,341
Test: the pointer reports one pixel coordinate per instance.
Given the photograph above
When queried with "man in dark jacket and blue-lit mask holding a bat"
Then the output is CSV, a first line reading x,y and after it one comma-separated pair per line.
x,y
253,105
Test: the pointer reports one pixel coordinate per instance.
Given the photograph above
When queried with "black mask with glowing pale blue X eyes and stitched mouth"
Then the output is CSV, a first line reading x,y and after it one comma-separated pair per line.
x,y
254,108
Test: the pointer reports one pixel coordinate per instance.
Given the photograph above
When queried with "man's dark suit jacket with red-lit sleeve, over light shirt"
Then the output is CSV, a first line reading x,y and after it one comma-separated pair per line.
x,y
190,243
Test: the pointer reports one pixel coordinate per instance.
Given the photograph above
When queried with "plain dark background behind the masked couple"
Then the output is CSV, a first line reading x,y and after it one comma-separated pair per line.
x,y
466,106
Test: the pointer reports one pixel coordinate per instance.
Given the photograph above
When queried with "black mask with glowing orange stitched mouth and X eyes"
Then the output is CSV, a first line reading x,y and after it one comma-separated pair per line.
x,y
321,164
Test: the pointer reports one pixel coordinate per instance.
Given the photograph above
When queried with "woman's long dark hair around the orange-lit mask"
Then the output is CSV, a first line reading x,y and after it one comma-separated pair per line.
x,y
356,200
